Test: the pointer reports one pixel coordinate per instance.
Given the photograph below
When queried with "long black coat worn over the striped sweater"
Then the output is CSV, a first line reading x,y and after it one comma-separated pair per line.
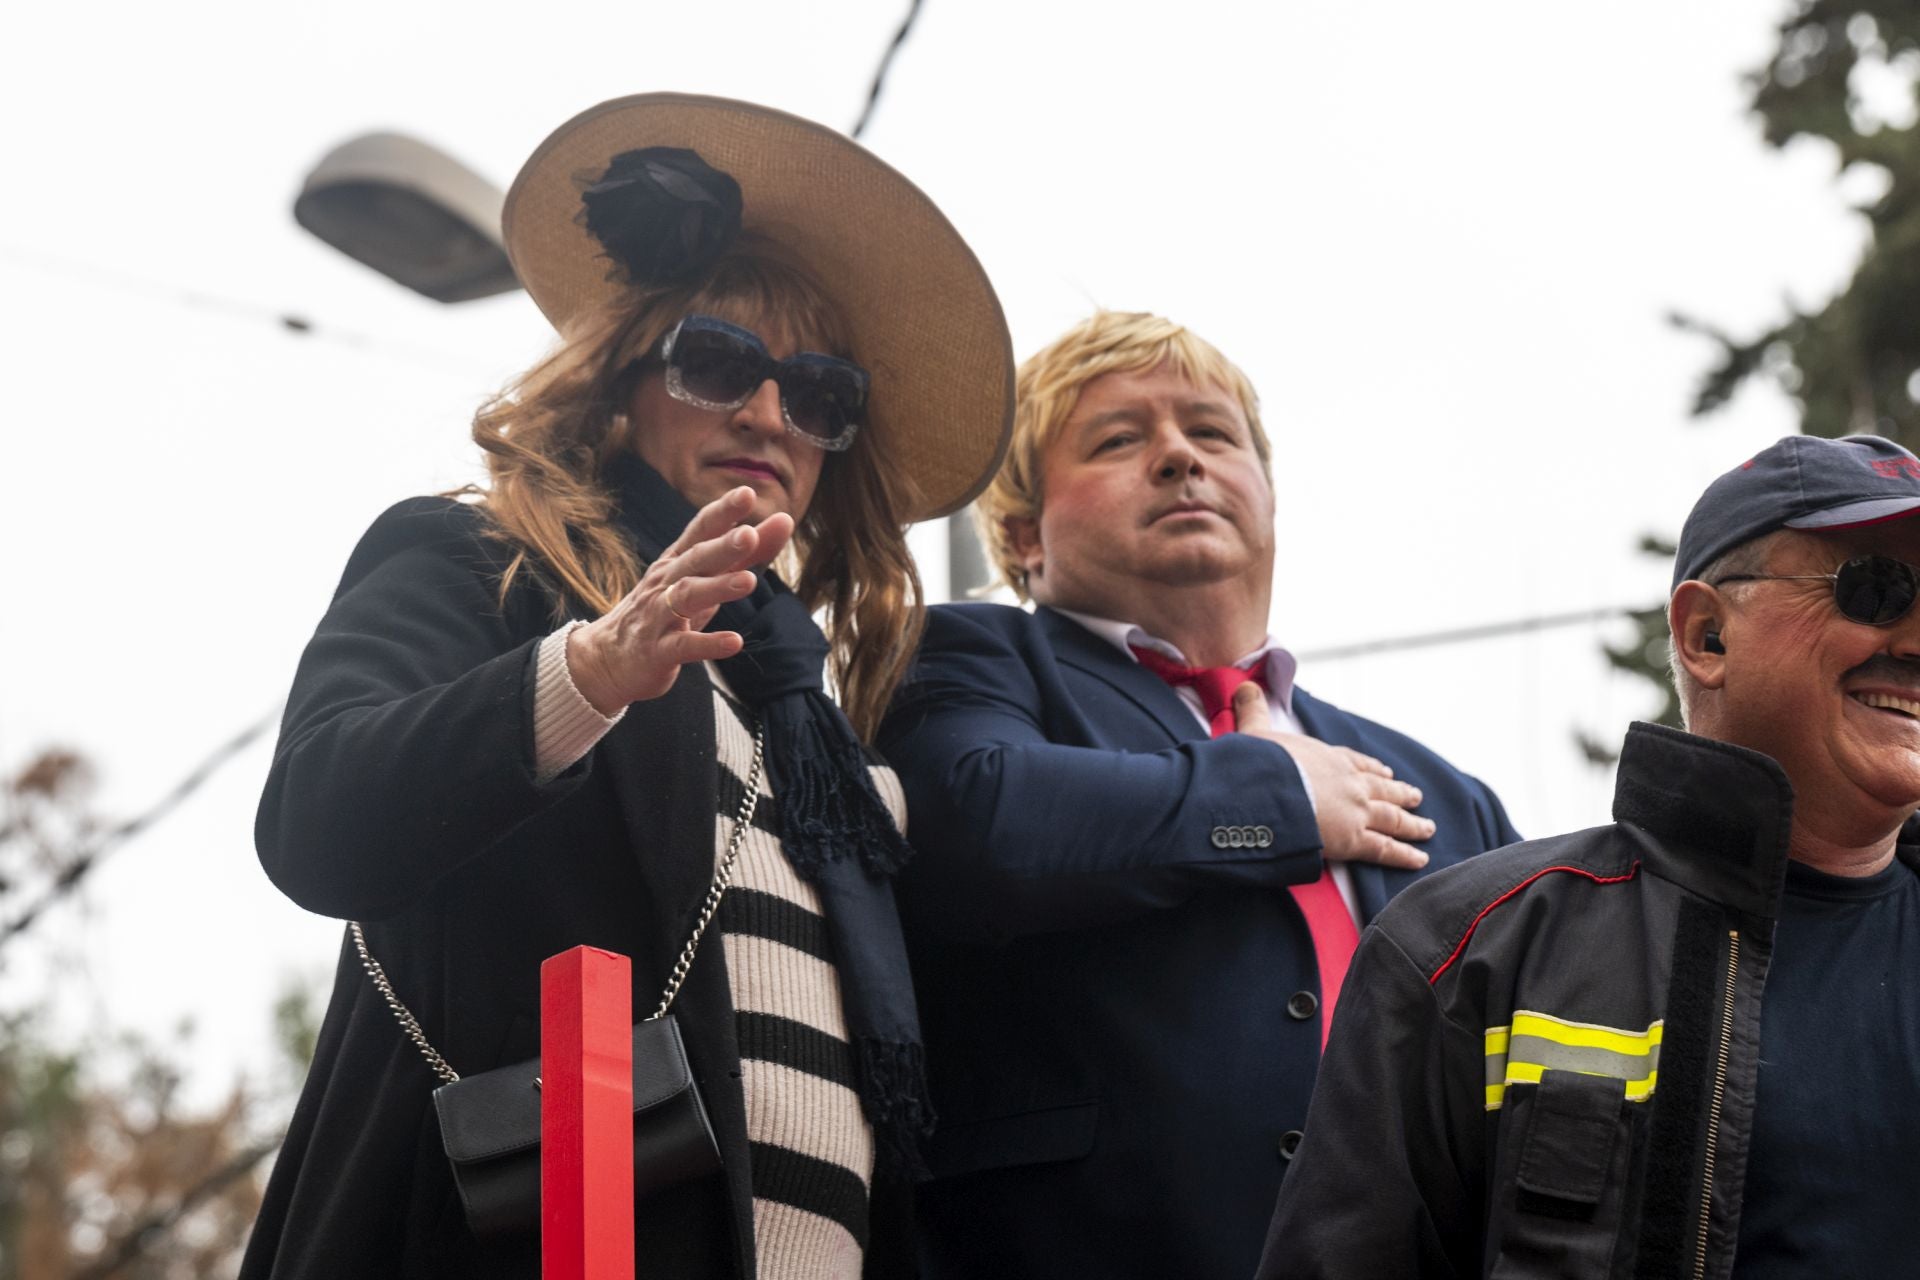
x,y
402,795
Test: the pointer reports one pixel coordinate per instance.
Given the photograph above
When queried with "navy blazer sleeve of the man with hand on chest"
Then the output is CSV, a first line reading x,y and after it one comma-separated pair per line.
x,y
1019,834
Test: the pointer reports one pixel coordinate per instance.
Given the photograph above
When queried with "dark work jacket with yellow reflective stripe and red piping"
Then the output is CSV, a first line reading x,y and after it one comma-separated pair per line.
x,y
1548,1058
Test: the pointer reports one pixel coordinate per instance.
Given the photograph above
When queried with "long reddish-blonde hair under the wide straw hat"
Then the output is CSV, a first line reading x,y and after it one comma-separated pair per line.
x,y
550,435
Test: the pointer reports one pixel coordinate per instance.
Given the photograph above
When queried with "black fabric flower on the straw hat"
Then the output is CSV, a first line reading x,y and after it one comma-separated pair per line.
x,y
661,214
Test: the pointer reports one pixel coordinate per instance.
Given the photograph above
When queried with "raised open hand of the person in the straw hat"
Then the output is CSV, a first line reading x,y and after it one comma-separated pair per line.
x,y
636,650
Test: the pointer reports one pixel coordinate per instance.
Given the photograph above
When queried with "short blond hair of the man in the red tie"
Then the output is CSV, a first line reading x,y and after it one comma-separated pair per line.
x,y
1047,389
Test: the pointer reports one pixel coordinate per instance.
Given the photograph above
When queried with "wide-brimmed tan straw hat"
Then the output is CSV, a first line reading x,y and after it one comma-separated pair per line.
x,y
926,323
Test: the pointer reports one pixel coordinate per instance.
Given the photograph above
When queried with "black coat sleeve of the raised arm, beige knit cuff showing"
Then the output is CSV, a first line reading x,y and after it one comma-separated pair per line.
x,y
406,747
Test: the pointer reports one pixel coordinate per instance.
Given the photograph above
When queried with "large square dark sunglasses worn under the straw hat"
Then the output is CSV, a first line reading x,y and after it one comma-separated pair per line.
x,y
719,366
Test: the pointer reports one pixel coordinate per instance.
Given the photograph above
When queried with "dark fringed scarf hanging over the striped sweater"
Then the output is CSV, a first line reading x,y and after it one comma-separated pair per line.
x,y
834,826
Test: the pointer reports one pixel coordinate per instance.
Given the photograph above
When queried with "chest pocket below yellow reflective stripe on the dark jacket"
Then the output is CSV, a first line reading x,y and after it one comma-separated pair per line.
x,y
1560,1179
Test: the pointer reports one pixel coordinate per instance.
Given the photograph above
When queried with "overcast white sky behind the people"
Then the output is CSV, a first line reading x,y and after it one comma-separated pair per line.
x,y
1441,239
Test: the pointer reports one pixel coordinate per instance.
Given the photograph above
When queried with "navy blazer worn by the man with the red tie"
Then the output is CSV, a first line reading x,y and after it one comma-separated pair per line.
x,y
1120,1014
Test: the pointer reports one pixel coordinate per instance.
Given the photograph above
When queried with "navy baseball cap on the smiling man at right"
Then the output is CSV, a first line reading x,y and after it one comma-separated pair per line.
x,y
1802,483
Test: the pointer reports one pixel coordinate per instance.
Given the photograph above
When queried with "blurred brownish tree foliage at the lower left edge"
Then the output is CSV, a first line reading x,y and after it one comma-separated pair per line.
x,y
103,1170
